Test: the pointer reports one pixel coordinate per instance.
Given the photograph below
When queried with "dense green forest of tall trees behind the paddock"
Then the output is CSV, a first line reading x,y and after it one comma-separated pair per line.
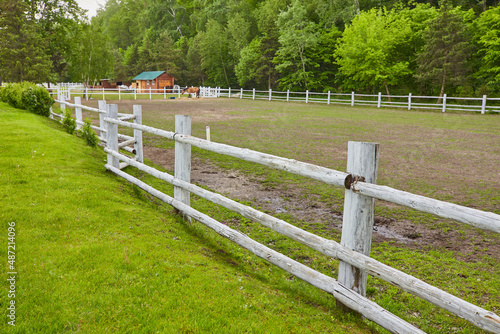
x,y
391,46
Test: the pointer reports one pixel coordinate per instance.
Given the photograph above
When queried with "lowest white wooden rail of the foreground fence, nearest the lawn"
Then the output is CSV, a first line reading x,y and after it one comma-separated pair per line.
x,y
367,308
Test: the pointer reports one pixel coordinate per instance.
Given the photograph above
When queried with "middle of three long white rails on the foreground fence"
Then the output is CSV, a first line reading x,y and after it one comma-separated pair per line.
x,y
479,317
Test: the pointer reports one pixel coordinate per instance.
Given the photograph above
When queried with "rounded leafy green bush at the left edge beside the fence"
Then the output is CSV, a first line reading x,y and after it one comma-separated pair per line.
x,y
26,95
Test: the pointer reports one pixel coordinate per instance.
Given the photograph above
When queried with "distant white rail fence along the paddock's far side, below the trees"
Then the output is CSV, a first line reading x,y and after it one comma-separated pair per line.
x,y
445,103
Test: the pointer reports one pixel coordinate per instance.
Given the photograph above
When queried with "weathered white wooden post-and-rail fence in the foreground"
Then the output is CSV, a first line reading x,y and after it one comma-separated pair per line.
x,y
353,250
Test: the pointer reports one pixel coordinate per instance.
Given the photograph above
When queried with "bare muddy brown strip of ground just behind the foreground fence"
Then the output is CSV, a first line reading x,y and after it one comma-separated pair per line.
x,y
292,200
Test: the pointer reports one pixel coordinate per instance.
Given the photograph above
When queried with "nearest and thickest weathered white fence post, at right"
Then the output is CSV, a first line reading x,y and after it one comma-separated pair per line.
x,y
357,224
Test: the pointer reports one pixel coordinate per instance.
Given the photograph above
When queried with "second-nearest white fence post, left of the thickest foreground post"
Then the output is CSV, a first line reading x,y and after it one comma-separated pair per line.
x,y
182,158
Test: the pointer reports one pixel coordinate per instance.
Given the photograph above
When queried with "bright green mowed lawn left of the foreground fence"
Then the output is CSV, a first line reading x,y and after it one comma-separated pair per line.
x,y
96,255
